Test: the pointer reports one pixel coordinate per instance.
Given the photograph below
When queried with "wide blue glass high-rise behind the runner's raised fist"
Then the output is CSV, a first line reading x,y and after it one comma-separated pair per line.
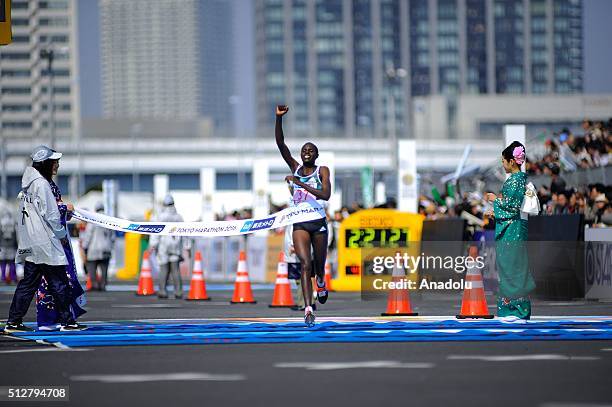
x,y
352,66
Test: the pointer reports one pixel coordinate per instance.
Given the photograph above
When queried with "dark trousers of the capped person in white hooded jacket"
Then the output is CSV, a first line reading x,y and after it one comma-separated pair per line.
x,y
58,287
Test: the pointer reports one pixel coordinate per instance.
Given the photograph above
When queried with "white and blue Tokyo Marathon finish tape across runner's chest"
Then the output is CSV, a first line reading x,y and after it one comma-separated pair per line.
x,y
304,212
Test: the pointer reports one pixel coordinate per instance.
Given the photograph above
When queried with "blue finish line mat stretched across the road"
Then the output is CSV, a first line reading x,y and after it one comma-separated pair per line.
x,y
293,330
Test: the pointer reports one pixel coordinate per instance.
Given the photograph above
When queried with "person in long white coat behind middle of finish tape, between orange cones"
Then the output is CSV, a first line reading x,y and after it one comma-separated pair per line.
x,y
169,251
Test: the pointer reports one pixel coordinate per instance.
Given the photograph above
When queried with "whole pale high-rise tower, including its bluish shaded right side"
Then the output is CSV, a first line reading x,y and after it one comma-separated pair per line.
x,y
168,59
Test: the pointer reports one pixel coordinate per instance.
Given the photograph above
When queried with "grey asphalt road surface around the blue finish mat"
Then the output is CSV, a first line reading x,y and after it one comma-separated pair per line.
x,y
528,373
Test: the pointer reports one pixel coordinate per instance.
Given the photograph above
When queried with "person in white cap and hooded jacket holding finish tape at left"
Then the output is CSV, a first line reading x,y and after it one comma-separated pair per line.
x,y
39,235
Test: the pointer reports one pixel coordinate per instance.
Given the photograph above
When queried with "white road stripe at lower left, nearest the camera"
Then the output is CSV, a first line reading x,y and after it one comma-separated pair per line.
x,y
162,377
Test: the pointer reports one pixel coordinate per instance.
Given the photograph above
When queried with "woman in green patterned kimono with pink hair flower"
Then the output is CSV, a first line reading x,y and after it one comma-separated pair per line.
x,y
515,281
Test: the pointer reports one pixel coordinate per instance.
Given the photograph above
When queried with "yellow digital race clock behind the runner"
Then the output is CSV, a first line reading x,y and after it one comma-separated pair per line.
x,y
372,229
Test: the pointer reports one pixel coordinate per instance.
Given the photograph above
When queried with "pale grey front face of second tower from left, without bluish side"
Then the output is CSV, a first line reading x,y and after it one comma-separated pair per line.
x,y
149,53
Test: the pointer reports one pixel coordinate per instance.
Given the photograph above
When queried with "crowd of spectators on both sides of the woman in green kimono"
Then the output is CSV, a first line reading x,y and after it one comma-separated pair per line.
x,y
564,152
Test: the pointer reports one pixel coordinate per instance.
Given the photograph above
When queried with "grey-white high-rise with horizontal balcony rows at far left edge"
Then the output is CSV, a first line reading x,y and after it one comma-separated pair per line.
x,y
42,30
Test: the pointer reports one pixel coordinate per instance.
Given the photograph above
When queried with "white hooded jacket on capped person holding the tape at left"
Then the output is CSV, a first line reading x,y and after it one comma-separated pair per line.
x,y
39,227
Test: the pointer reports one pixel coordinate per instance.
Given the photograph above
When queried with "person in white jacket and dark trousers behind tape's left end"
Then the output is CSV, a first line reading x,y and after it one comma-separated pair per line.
x,y
97,242
